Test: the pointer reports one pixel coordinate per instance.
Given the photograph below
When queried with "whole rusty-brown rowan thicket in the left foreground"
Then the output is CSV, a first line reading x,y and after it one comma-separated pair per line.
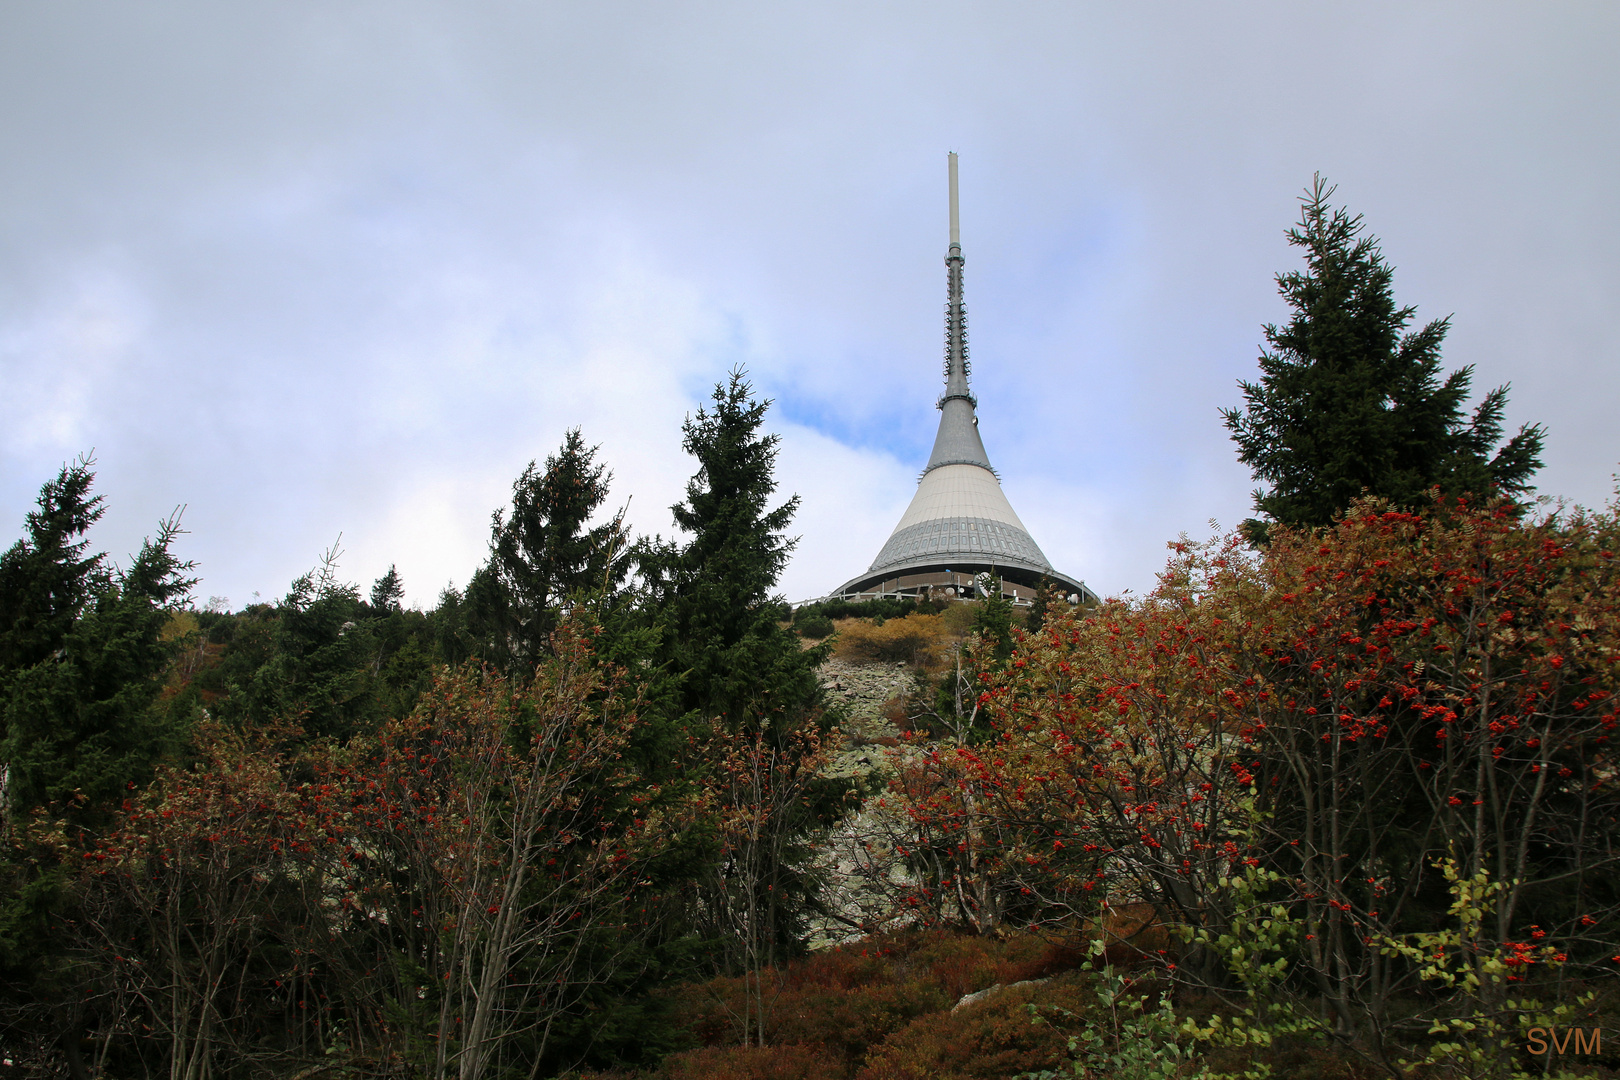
x,y
425,893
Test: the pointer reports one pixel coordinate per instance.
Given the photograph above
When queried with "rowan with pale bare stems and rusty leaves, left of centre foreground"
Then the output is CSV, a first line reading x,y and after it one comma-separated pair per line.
x,y
490,854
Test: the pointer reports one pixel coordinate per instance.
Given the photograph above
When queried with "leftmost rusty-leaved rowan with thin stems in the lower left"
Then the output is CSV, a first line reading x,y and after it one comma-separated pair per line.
x,y
195,927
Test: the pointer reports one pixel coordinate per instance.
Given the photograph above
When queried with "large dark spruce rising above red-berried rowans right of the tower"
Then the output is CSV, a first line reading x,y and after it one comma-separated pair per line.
x,y
1352,401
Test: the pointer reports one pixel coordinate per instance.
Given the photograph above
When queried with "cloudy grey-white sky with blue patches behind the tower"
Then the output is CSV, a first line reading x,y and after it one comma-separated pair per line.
x,y
326,270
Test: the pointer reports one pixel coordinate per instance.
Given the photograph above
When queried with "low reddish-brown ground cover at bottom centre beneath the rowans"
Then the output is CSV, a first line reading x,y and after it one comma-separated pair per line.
x,y
882,1010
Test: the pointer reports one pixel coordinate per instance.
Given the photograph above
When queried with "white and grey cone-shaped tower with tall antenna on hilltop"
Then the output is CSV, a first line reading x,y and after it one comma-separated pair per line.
x,y
960,537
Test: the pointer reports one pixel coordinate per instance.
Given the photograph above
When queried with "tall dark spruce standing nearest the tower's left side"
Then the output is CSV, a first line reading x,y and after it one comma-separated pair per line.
x,y
744,678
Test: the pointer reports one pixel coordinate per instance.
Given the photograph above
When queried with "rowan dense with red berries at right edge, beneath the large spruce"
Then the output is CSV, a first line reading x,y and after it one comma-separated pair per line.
x,y
1441,686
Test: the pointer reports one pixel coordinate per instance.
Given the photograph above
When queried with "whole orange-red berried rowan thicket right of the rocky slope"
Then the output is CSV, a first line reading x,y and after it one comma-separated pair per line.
x,y
1347,710
